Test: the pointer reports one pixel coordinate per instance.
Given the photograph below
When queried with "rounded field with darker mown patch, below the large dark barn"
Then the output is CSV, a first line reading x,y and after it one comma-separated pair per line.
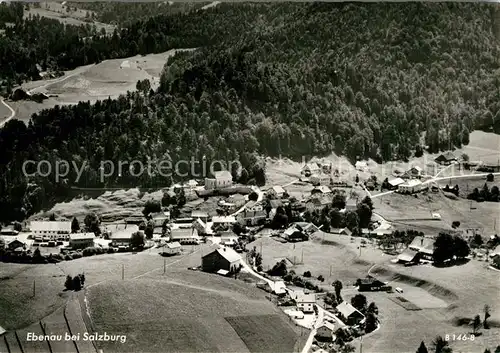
x,y
187,312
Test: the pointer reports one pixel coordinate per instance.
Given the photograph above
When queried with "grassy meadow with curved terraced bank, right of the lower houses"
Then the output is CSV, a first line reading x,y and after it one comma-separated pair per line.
x,y
444,295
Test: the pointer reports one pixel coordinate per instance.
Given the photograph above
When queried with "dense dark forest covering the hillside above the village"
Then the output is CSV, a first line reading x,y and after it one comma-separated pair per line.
x,y
381,80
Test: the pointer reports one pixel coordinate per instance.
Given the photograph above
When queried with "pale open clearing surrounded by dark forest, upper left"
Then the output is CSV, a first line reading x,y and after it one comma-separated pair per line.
x,y
109,78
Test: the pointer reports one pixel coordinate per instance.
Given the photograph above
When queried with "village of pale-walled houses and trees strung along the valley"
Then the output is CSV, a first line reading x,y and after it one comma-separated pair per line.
x,y
238,220
